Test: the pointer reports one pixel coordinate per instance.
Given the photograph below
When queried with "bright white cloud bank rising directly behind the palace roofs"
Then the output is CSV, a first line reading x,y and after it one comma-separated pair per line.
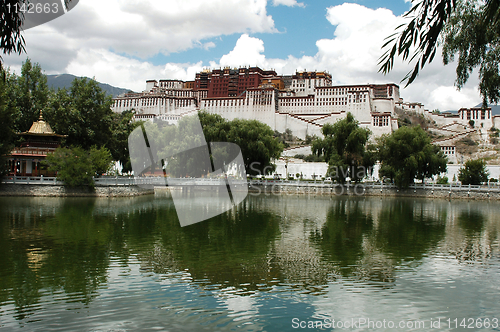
x,y
352,56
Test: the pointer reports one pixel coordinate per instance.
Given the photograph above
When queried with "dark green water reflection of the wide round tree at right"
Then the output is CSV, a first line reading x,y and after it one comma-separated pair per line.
x,y
407,231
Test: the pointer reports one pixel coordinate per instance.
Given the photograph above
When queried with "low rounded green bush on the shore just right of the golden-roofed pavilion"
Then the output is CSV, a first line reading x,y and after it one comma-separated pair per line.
x,y
73,166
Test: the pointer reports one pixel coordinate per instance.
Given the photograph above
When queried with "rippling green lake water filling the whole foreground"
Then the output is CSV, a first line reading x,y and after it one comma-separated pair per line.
x,y
273,263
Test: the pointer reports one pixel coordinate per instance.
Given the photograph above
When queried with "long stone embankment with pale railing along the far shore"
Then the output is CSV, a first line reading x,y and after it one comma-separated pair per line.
x,y
134,187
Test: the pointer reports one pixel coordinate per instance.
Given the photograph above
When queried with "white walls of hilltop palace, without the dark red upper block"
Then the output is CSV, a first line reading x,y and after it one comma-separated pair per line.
x,y
371,105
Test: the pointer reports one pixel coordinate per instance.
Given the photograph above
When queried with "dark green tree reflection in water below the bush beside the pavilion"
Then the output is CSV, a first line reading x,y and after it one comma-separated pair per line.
x,y
79,255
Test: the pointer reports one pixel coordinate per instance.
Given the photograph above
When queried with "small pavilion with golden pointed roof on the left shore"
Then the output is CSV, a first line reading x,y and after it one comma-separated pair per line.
x,y
26,159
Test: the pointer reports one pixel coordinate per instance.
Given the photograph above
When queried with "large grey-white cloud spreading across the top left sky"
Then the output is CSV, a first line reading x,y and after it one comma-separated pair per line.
x,y
142,28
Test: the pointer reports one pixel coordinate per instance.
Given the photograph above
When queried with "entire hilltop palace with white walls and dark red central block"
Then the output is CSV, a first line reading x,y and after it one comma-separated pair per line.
x,y
302,102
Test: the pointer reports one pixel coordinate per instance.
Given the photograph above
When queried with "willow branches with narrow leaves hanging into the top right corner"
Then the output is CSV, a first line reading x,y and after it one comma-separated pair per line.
x,y
467,28
